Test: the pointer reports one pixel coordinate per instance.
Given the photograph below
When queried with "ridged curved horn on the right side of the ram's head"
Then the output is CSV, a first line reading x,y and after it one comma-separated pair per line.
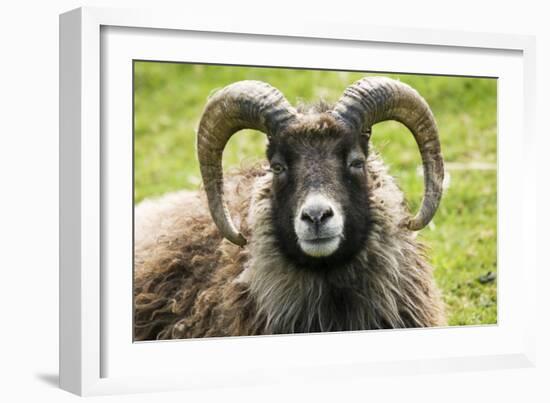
x,y
376,99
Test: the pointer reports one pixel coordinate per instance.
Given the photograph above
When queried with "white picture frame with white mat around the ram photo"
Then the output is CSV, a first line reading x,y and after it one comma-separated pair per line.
x,y
97,43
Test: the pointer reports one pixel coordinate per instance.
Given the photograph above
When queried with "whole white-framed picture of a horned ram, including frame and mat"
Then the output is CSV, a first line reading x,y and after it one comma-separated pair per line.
x,y
239,201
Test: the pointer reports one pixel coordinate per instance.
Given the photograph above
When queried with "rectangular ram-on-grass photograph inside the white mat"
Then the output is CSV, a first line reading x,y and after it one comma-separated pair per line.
x,y
278,201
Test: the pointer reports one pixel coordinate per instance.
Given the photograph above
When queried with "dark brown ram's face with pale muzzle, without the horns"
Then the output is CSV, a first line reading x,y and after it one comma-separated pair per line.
x,y
320,197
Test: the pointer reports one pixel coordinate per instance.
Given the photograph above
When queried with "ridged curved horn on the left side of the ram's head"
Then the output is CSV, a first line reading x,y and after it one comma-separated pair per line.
x,y
242,105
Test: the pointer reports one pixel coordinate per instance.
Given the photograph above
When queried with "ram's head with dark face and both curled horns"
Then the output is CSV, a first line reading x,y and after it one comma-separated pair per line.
x,y
318,161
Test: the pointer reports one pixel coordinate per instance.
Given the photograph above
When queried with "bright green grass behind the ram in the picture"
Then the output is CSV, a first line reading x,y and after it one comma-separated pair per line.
x,y
169,99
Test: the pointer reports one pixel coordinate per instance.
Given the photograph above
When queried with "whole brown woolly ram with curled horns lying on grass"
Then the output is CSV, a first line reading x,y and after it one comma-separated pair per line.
x,y
326,241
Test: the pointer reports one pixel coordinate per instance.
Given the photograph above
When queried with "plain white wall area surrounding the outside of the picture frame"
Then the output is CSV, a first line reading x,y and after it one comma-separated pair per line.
x,y
29,187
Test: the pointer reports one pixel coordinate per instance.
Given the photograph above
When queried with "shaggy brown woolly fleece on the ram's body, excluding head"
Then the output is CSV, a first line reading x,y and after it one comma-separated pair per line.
x,y
189,282
